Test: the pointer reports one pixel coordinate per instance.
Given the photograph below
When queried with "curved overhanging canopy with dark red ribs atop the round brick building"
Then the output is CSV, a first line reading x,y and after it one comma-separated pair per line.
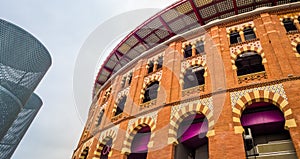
x,y
176,19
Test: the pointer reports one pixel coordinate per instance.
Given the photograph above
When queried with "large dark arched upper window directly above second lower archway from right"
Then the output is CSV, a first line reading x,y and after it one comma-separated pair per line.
x,y
193,77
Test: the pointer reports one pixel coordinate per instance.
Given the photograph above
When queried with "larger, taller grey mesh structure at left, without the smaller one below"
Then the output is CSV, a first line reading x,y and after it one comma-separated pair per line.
x,y
23,63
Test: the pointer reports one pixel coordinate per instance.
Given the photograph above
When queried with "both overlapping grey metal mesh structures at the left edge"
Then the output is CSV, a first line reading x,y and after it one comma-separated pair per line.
x,y
23,62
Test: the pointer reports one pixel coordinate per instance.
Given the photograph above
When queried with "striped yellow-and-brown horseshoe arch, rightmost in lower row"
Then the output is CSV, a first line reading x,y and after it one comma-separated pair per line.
x,y
261,96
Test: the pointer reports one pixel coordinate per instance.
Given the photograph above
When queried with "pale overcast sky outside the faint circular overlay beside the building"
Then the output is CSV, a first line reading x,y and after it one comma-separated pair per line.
x,y
62,26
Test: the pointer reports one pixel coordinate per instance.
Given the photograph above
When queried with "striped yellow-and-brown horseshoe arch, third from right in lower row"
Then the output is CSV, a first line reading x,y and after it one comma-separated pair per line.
x,y
133,130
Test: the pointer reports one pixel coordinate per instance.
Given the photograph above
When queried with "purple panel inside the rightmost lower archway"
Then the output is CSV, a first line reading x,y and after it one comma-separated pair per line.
x,y
264,117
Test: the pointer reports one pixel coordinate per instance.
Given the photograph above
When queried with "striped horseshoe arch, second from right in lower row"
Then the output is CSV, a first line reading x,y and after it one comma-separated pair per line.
x,y
187,110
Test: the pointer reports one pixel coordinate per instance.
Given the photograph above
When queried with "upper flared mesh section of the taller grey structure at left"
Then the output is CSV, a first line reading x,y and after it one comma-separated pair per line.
x,y
23,60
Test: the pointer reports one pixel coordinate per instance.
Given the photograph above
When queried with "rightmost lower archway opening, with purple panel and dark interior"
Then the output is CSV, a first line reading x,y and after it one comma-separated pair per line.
x,y
264,132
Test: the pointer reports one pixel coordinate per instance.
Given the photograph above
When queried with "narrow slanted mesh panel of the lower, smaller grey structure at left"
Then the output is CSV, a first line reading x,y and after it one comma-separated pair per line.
x,y
17,130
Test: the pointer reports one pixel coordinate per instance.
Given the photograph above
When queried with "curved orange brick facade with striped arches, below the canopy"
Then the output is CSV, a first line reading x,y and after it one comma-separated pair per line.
x,y
245,68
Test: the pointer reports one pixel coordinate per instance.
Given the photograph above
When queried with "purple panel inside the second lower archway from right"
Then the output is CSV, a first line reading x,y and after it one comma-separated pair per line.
x,y
194,130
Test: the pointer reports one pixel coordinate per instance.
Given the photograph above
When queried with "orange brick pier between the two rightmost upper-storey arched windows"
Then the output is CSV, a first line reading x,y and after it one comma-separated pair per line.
x,y
272,35
